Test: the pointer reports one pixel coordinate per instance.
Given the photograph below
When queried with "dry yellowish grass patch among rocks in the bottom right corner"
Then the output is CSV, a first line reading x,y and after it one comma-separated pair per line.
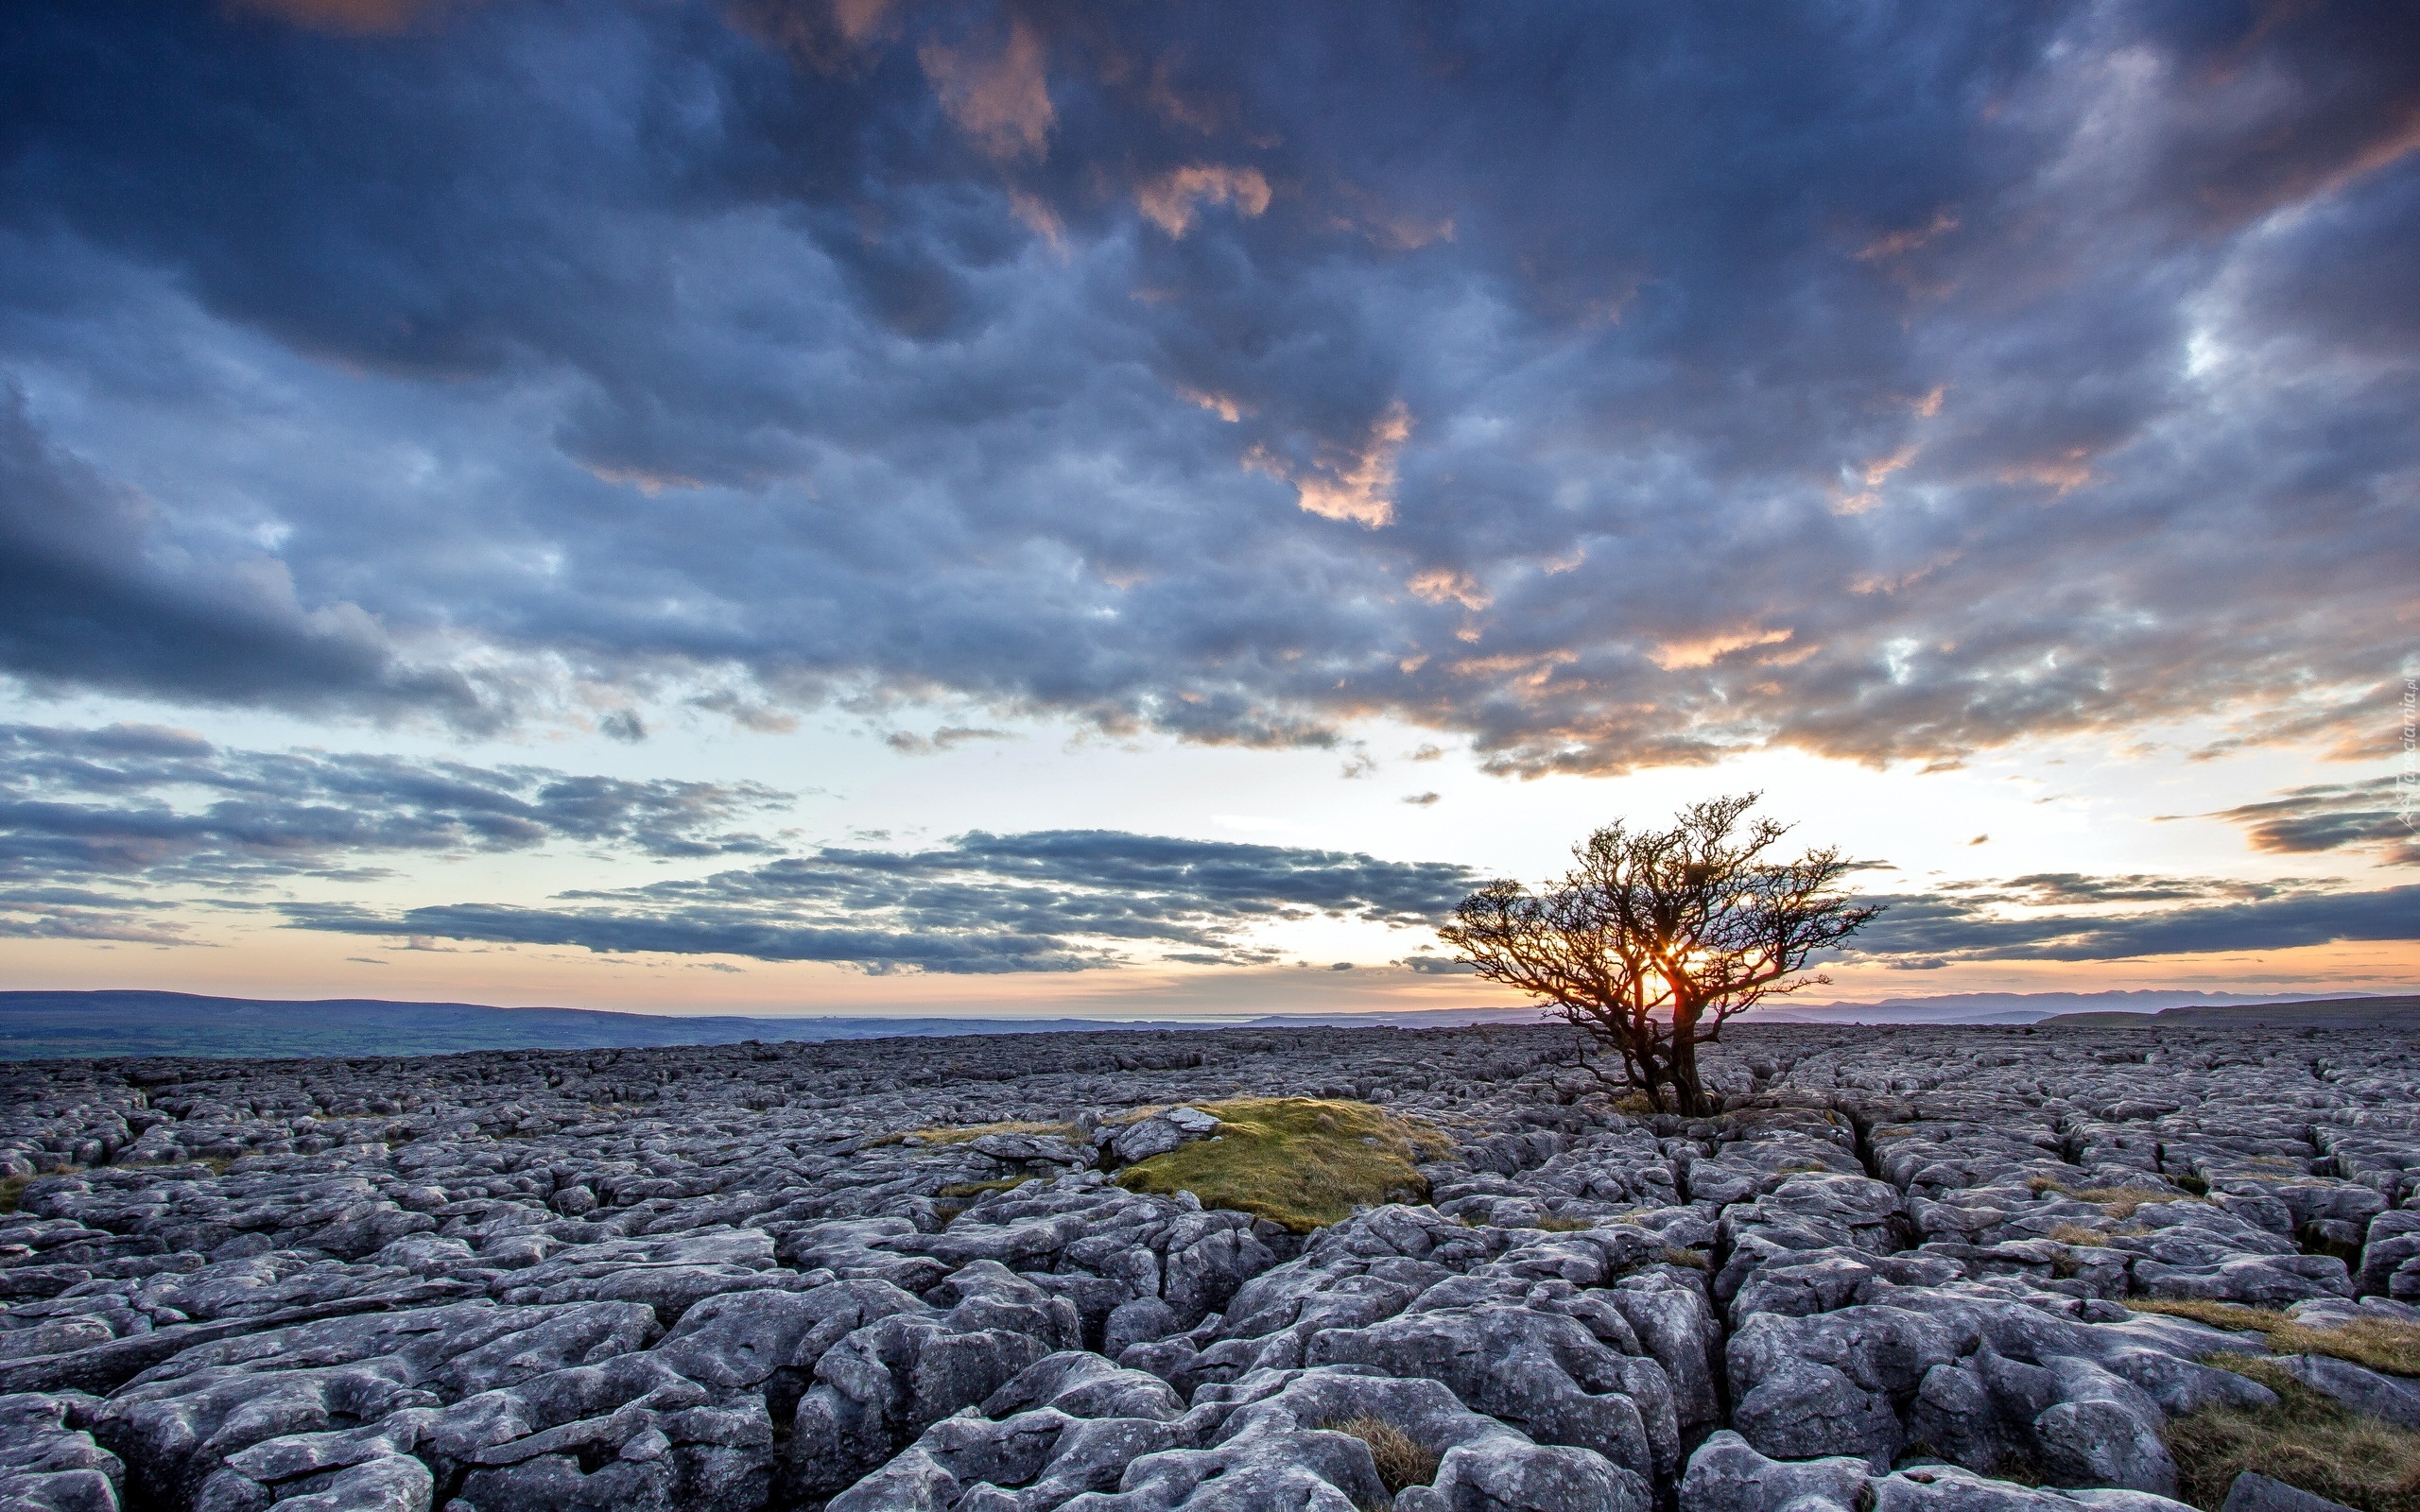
x,y
2305,1441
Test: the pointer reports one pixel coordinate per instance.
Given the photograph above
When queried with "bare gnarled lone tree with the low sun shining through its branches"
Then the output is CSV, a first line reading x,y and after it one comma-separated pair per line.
x,y
1661,937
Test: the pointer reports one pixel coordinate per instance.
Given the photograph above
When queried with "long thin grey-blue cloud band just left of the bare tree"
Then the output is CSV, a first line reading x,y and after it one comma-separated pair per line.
x,y
984,904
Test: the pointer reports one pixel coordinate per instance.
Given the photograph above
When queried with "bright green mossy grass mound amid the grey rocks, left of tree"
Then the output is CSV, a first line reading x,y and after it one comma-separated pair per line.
x,y
1298,1162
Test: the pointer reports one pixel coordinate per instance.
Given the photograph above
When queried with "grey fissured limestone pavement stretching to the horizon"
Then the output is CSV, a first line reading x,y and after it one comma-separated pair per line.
x,y
720,1279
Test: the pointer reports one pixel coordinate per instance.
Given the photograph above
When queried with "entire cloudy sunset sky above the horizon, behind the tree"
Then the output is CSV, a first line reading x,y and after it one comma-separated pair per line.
x,y
855,507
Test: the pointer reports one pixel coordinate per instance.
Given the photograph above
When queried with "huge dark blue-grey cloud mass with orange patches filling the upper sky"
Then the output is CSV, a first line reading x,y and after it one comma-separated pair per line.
x,y
1603,386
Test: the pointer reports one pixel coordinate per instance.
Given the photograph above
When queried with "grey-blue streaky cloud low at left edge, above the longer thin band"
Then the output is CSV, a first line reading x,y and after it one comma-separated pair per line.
x,y
93,816
